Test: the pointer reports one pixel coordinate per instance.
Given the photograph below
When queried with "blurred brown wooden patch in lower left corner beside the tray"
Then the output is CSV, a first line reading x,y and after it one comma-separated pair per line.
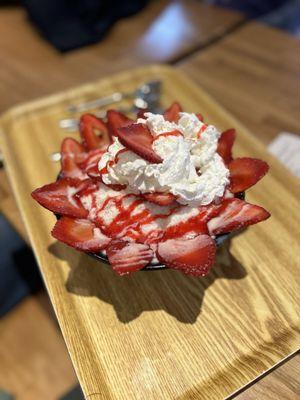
x,y
34,362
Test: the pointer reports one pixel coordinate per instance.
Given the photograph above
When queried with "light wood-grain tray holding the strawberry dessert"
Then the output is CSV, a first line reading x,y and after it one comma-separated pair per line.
x,y
162,335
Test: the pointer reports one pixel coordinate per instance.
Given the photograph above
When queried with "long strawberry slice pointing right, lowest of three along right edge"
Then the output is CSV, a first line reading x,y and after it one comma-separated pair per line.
x,y
236,214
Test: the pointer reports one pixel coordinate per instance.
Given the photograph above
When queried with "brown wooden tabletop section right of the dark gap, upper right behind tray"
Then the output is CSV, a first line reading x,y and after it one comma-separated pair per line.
x,y
254,74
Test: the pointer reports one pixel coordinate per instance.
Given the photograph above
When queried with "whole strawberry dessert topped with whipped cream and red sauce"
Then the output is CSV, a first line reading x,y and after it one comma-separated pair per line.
x,y
134,226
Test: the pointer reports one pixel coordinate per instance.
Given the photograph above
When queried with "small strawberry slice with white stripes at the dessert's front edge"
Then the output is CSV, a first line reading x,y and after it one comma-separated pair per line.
x,y
126,257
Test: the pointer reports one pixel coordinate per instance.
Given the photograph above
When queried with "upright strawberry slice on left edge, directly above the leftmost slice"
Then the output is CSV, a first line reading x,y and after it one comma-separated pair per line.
x,y
72,154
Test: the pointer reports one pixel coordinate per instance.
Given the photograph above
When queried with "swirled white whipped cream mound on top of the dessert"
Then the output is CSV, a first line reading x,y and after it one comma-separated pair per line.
x,y
191,168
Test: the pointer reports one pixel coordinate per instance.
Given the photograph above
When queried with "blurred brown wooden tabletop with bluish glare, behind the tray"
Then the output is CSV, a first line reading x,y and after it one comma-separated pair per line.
x,y
31,67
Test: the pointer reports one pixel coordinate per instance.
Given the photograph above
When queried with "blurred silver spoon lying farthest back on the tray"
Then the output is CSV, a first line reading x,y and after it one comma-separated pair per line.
x,y
147,92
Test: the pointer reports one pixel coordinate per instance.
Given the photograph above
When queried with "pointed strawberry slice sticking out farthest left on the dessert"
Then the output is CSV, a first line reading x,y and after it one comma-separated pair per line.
x,y
61,197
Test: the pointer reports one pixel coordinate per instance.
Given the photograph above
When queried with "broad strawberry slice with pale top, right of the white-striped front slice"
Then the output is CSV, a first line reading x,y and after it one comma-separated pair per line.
x,y
192,256
